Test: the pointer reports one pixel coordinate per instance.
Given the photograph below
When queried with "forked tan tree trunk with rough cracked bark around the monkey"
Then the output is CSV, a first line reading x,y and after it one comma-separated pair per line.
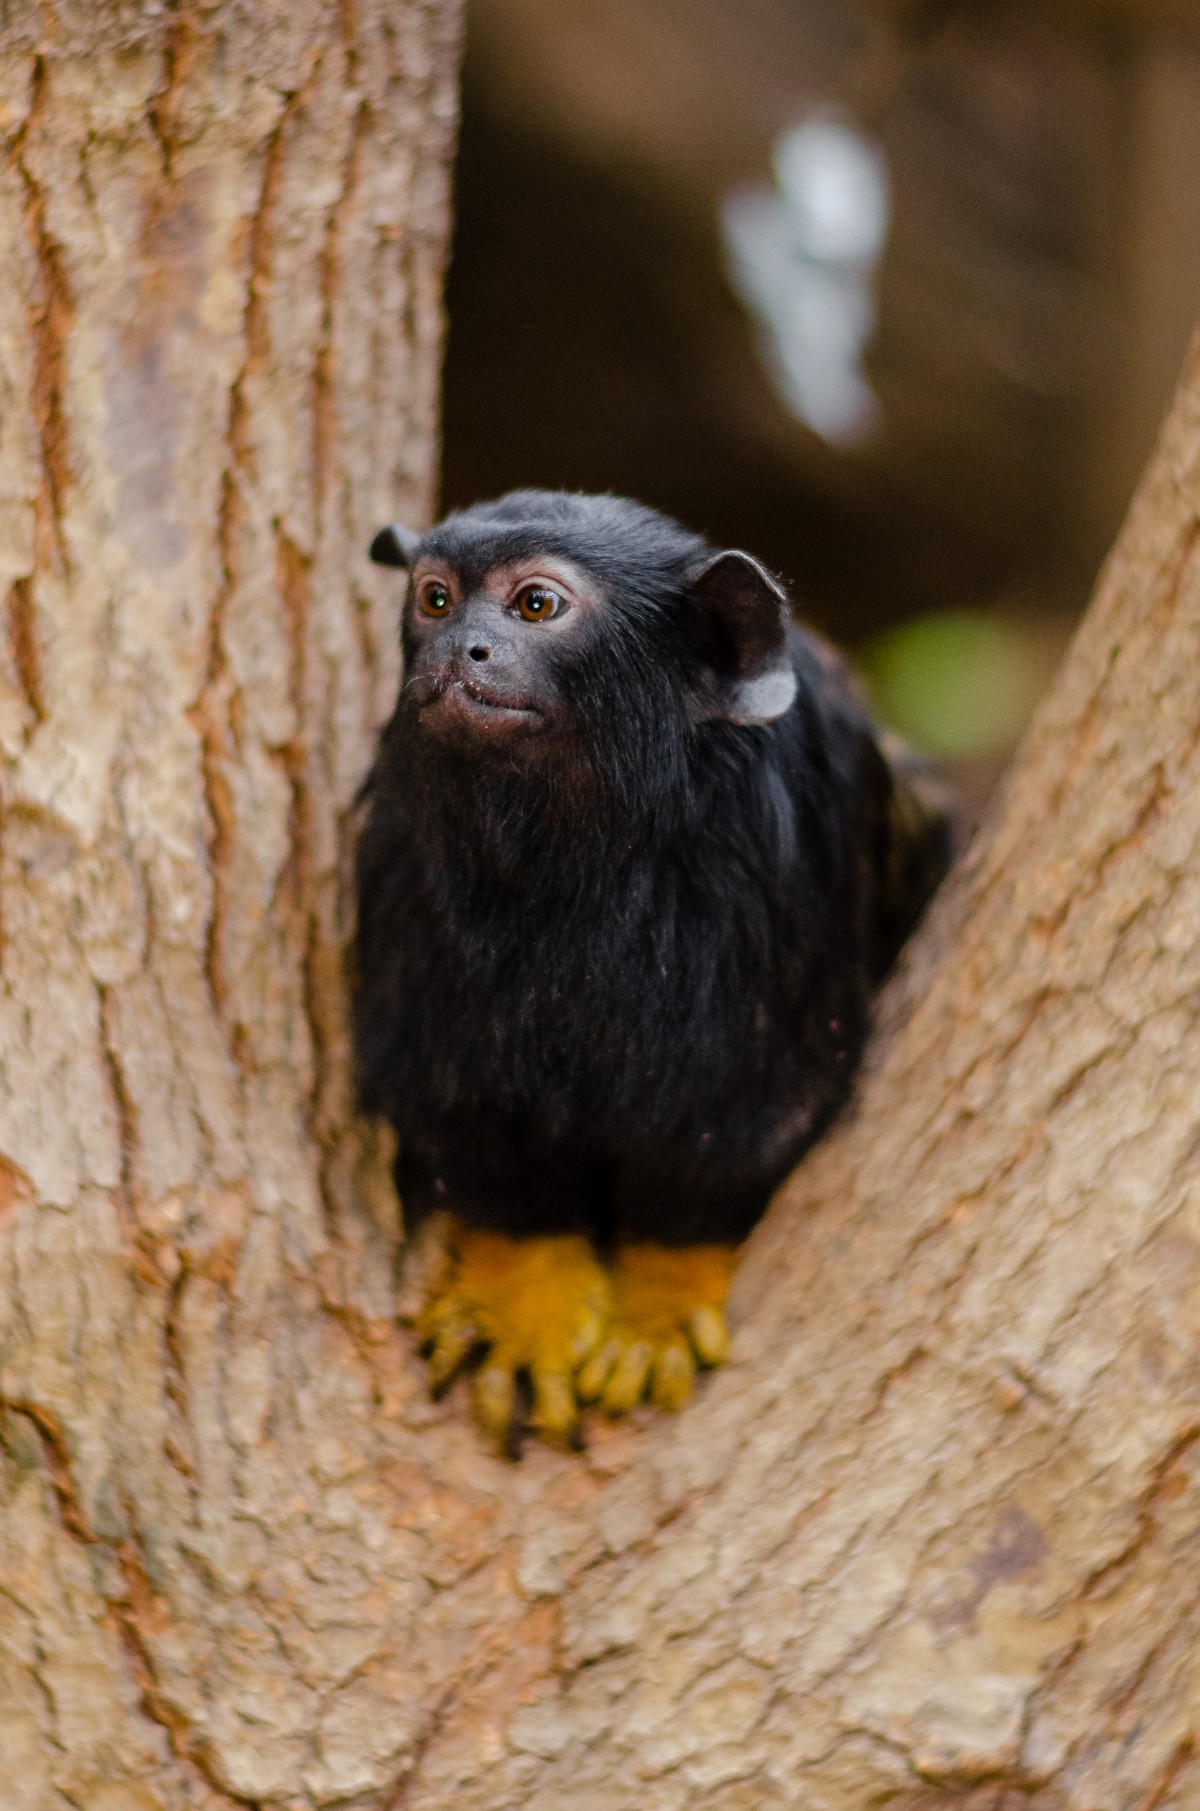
x,y
933,1537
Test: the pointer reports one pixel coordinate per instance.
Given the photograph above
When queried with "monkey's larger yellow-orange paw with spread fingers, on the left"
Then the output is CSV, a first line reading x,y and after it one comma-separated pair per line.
x,y
540,1307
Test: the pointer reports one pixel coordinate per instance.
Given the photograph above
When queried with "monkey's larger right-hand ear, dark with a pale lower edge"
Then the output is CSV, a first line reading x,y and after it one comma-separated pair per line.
x,y
743,629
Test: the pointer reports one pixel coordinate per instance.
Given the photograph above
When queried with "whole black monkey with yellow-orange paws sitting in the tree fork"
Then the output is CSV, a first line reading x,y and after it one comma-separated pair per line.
x,y
631,867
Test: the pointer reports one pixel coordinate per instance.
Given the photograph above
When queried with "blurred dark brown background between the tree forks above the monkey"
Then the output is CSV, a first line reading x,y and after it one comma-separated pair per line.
x,y
890,292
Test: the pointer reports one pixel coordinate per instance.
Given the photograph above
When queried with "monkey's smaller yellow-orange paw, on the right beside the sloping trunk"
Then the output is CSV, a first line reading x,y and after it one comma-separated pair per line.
x,y
669,1319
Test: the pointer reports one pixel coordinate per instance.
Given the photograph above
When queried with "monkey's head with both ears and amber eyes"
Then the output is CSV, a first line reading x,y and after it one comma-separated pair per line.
x,y
551,618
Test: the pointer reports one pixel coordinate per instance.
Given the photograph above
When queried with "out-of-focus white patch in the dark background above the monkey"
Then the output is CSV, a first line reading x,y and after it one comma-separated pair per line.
x,y
803,256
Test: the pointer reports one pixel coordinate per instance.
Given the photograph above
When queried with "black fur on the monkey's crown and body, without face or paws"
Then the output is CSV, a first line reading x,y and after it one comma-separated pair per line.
x,y
618,979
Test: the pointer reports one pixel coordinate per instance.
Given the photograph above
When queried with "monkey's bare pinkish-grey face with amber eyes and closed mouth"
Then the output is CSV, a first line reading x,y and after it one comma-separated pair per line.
x,y
486,651
